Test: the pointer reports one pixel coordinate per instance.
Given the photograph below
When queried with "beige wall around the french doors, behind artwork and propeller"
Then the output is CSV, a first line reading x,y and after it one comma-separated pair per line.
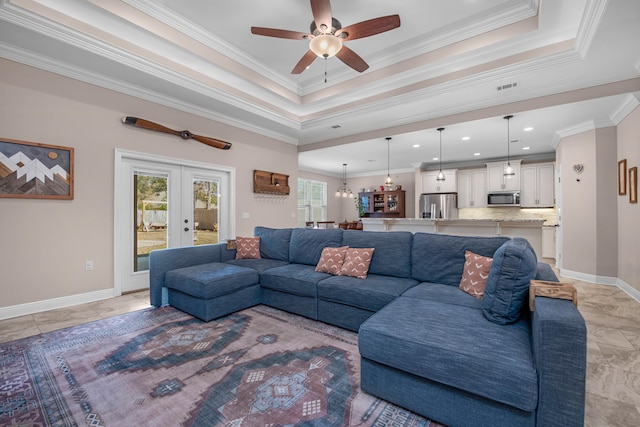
x,y
45,242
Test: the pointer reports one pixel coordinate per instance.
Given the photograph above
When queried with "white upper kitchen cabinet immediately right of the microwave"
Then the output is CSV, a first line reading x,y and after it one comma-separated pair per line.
x,y
537,181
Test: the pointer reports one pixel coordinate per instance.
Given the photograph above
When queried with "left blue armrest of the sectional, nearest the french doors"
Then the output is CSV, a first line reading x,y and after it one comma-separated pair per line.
x,y
163,260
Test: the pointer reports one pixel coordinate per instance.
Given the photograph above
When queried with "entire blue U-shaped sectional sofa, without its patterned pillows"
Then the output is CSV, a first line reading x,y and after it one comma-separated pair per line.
x,y
424,344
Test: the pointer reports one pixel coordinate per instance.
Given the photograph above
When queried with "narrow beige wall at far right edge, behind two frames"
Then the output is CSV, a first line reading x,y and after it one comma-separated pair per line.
x,y
629,214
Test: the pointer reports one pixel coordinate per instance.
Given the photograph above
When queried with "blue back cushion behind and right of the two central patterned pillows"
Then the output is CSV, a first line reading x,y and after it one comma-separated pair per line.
x,y
392,256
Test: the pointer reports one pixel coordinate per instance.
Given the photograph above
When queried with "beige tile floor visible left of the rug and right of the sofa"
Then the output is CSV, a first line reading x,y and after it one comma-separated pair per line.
x,y
613,344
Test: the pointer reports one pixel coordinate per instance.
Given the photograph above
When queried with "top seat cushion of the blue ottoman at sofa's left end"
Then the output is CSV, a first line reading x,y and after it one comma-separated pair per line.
x,y
211,280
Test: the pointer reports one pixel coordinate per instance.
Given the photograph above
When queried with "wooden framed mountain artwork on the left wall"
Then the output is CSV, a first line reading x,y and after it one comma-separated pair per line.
x,y
35,171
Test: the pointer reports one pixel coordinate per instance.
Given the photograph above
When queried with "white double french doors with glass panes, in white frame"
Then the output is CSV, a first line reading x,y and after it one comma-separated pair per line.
x,y
163,203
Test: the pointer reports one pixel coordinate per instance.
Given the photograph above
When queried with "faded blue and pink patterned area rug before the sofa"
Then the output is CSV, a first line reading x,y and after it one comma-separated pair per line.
x,y
162,367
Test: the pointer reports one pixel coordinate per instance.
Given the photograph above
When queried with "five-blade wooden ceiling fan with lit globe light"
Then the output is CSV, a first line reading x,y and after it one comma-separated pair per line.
x,y
327,36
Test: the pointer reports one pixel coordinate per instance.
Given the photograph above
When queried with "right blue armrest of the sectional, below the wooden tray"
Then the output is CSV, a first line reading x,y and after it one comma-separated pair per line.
x,y
559,338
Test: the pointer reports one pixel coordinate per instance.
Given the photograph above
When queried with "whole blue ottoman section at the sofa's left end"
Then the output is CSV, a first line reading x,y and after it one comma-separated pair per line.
x,y
212,290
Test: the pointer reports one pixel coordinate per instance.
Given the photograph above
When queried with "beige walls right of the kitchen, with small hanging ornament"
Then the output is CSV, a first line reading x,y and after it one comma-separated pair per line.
x,y
600,230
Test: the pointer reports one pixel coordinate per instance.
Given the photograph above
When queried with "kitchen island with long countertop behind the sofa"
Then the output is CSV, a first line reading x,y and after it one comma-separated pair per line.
x,y
530,229
